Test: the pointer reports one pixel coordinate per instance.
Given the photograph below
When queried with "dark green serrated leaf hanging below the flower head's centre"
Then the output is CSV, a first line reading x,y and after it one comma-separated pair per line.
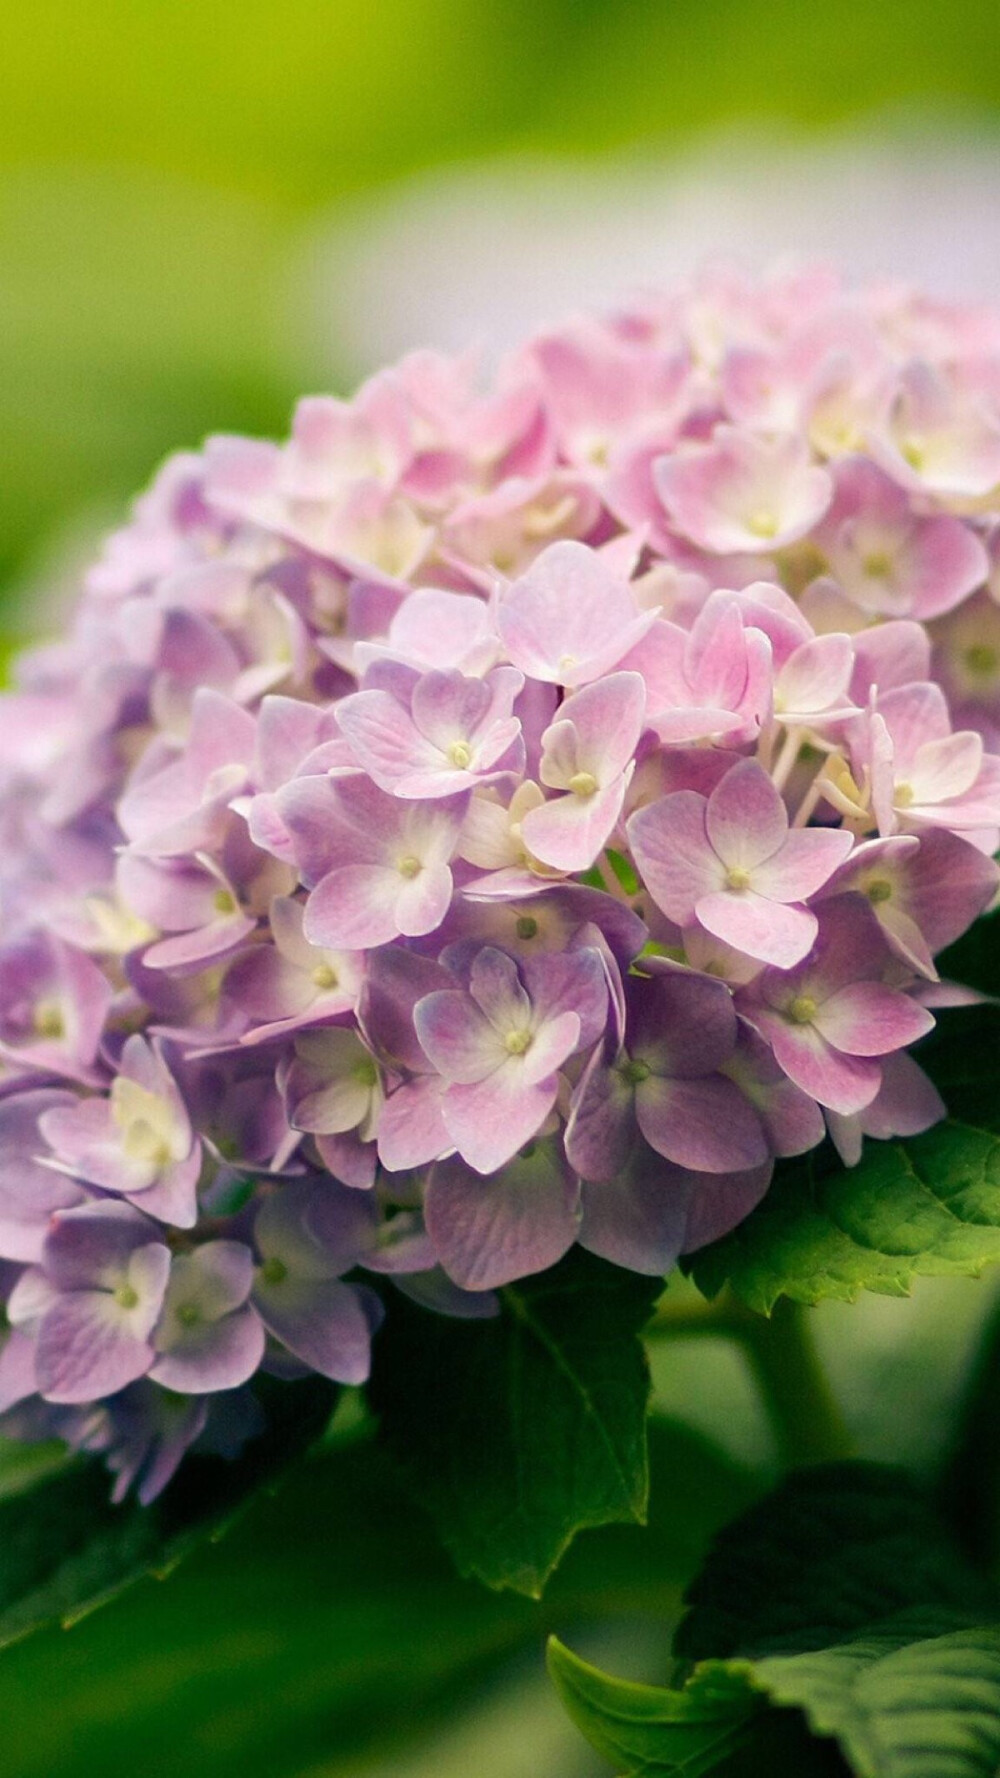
x,y
520,1432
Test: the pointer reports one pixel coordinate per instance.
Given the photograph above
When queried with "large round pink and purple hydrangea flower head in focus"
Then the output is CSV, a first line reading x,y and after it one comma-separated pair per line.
x,y
506,815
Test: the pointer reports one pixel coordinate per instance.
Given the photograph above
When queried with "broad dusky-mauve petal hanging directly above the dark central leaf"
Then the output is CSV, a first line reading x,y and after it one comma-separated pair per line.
x,y
490,1233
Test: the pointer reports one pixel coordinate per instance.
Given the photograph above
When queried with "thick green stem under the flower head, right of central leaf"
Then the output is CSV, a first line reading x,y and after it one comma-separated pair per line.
x,y
805,1416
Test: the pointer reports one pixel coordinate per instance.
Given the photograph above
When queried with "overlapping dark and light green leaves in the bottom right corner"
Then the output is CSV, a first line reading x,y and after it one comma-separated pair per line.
x,y
839,1599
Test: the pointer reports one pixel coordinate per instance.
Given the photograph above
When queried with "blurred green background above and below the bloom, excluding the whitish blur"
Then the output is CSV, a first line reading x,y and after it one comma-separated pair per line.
x,y
163,170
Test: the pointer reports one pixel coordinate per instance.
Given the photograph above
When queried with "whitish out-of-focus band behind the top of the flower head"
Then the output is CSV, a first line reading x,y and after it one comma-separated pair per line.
x,y
490,252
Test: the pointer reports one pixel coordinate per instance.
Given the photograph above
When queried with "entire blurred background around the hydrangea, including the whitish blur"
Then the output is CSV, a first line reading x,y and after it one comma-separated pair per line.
x,y
207,209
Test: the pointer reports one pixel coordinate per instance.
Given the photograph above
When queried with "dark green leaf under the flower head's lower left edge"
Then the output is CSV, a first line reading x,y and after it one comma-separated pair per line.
x,y
65,1550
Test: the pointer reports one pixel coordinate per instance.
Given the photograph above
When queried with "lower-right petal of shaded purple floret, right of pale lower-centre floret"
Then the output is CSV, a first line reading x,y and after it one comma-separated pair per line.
x,y
704,1125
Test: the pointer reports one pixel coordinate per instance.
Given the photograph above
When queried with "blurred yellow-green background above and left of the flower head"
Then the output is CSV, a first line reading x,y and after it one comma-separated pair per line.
x,y
163,163
